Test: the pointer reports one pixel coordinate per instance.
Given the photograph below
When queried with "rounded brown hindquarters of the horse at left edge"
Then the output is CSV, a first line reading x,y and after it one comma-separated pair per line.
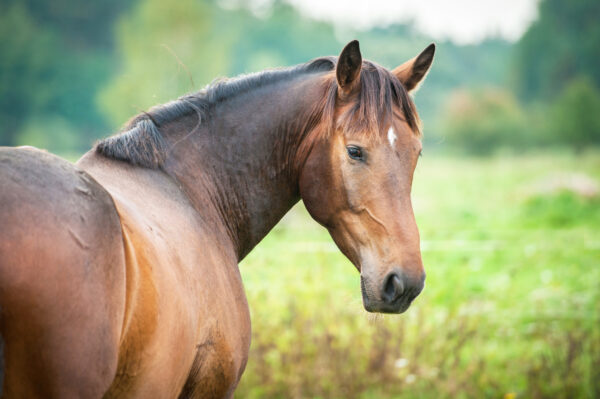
x,y
61,278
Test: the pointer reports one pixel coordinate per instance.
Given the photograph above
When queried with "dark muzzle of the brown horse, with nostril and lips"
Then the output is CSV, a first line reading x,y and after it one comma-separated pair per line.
x,y
395,295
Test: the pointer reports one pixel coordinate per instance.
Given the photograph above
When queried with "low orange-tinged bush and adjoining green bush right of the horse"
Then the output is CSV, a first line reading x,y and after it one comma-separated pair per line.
x,y
484,121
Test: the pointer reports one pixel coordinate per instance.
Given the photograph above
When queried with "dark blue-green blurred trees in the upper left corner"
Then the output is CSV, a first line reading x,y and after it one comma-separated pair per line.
x,y
51,68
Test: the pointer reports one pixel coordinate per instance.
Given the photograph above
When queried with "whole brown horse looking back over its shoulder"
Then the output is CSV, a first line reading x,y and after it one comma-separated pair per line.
x,y
119,275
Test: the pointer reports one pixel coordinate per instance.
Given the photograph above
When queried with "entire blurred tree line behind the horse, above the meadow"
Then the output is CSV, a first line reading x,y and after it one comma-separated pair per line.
x,y
71,72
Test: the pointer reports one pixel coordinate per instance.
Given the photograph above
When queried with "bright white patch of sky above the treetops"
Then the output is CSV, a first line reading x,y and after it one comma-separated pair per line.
x,y
463,21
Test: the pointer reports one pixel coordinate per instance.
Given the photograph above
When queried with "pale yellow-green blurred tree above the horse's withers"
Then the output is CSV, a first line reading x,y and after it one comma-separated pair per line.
x,y
165,49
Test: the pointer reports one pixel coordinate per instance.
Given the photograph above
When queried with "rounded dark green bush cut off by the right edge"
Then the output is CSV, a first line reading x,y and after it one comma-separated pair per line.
x,y
575,115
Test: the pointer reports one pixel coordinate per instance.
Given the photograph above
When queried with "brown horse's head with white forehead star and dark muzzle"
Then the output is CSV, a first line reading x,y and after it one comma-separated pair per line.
x,y
356,180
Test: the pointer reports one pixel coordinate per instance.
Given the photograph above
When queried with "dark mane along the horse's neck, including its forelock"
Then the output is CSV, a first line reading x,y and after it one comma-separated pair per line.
x,y
141,143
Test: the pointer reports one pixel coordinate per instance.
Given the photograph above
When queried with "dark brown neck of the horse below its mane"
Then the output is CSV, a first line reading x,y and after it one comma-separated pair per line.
x,y
241,166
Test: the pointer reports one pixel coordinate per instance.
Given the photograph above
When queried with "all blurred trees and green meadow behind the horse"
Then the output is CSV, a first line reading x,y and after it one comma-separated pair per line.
x,y
506,196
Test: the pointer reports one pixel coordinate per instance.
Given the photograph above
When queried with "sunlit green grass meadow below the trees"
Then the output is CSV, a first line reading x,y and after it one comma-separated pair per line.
x,y
511,307
